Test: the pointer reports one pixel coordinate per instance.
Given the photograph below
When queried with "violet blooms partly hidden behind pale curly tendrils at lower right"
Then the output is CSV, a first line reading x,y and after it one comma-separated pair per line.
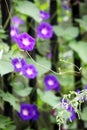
x,y
65,104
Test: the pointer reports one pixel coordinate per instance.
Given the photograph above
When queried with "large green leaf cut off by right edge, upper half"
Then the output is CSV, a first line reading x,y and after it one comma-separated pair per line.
x,y
80,48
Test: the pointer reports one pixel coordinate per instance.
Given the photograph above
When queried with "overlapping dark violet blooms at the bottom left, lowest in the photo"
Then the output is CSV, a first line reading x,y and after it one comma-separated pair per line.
x,y
29,112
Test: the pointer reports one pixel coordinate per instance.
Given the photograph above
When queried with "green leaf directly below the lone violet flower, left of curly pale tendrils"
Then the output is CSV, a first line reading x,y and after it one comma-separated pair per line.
x,y
48,97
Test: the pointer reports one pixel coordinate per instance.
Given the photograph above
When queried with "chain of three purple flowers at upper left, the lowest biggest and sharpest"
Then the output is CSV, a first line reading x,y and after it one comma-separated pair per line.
x,y
24,40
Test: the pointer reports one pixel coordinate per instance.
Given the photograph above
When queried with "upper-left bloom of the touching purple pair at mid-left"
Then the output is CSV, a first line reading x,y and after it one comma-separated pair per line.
x,y
18,63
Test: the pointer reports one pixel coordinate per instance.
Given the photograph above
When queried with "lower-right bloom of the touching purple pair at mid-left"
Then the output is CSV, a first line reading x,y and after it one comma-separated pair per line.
x,y
29,71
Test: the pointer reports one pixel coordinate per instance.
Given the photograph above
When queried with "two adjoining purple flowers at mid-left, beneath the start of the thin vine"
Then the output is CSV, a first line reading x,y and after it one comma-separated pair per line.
x,y
28,70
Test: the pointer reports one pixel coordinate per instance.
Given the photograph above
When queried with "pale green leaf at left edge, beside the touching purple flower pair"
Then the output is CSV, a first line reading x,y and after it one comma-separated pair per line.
x,y
5,67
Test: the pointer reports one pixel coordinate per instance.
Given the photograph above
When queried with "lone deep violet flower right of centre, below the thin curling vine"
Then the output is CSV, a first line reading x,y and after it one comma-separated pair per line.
x,y
51,83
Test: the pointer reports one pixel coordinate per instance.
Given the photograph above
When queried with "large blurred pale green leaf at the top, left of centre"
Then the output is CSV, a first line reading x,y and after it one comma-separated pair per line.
x,y
29,9
